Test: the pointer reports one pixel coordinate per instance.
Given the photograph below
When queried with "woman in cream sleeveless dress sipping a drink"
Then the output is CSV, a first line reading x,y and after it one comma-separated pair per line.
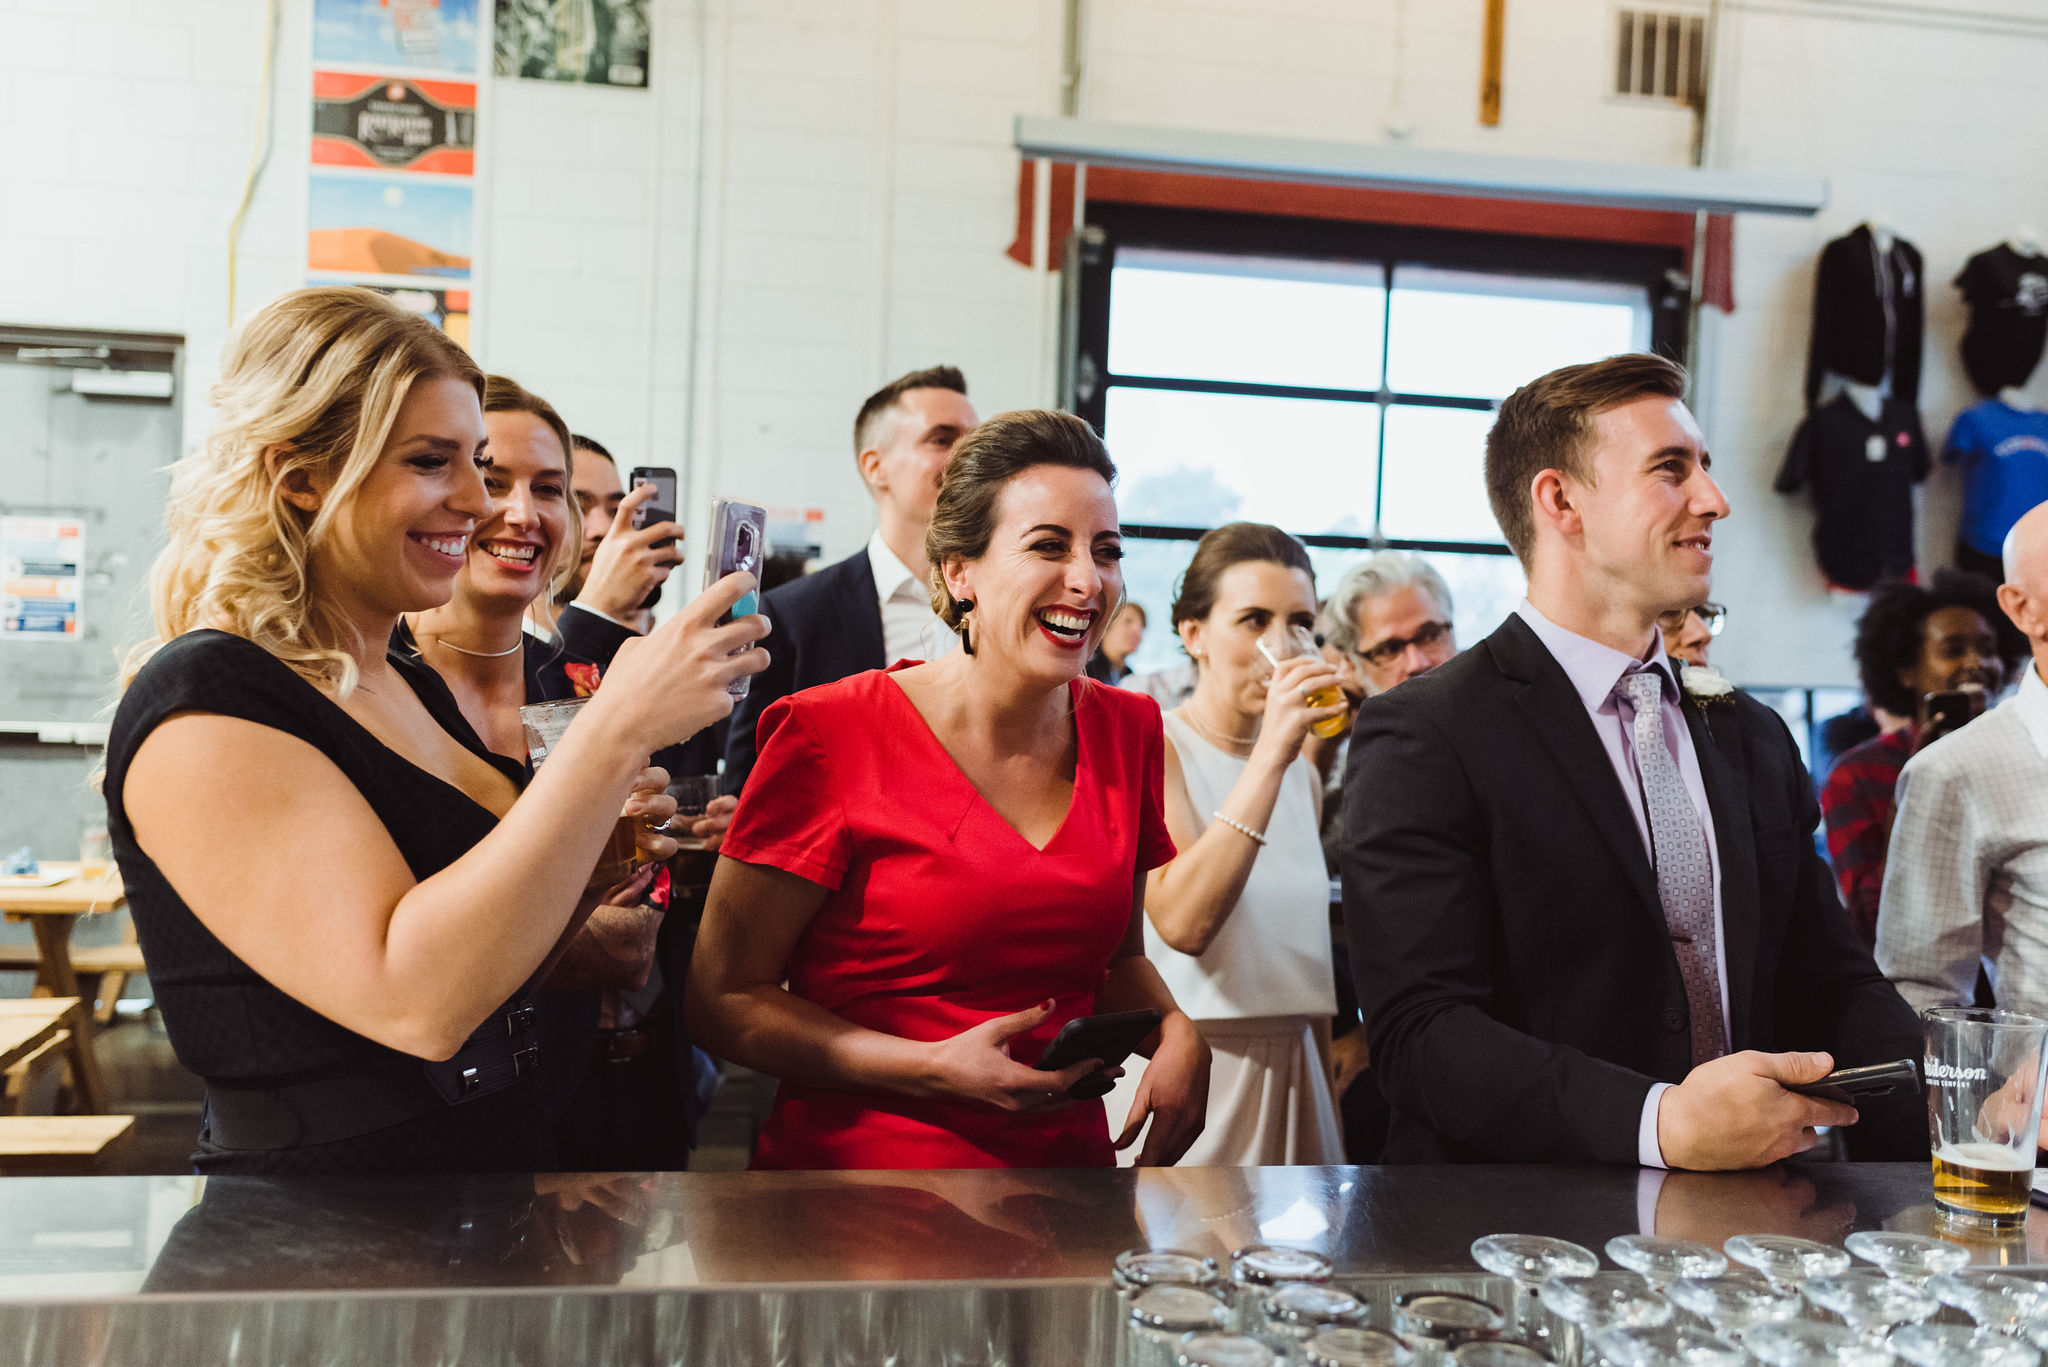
x,y
1238,923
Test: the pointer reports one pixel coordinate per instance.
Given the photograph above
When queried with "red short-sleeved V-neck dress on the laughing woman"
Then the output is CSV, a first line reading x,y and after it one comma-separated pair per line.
x,y
941,915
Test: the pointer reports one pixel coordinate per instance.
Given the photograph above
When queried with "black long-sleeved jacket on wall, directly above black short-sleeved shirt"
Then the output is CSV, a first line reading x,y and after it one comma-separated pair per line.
x,y
1867,317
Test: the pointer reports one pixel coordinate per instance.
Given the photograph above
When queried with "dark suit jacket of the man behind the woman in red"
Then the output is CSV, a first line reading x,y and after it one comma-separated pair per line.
x,y
824,628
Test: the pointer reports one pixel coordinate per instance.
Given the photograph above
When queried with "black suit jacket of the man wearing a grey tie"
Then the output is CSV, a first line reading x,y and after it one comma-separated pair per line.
x,y
1506,934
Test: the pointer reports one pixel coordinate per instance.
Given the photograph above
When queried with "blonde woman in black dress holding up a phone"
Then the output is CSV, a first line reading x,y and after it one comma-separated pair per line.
x,y
339,886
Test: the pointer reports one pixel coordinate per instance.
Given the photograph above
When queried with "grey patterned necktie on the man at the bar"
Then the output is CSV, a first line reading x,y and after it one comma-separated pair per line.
x,y
1684,872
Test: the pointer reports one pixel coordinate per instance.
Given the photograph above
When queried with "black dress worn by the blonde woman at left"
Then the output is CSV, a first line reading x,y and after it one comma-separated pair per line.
x,y
245,1036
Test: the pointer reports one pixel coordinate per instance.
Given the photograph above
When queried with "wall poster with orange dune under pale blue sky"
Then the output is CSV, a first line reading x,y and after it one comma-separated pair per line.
x,y
404,229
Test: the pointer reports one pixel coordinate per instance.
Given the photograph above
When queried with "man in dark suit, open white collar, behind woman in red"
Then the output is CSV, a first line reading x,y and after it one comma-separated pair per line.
x,y
876,606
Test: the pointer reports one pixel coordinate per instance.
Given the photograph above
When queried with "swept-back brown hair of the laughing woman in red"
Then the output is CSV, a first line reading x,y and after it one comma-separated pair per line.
x,y
984,462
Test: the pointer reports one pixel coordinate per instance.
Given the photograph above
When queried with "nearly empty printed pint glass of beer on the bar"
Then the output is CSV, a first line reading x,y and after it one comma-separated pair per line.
x,y
1983,1108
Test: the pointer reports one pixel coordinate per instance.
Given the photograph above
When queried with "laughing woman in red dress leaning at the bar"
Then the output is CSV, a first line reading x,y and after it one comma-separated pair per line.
x,y
947,862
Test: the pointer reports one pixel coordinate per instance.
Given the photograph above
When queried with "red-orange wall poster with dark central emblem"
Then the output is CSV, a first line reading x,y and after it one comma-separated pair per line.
x,y
394,124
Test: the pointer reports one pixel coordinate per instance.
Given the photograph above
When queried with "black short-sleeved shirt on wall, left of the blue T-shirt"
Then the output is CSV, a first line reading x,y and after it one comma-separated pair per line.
x,y
1863,489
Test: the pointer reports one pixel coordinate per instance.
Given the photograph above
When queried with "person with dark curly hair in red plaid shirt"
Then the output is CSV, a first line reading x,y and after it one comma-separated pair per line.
x,y
1912,643
